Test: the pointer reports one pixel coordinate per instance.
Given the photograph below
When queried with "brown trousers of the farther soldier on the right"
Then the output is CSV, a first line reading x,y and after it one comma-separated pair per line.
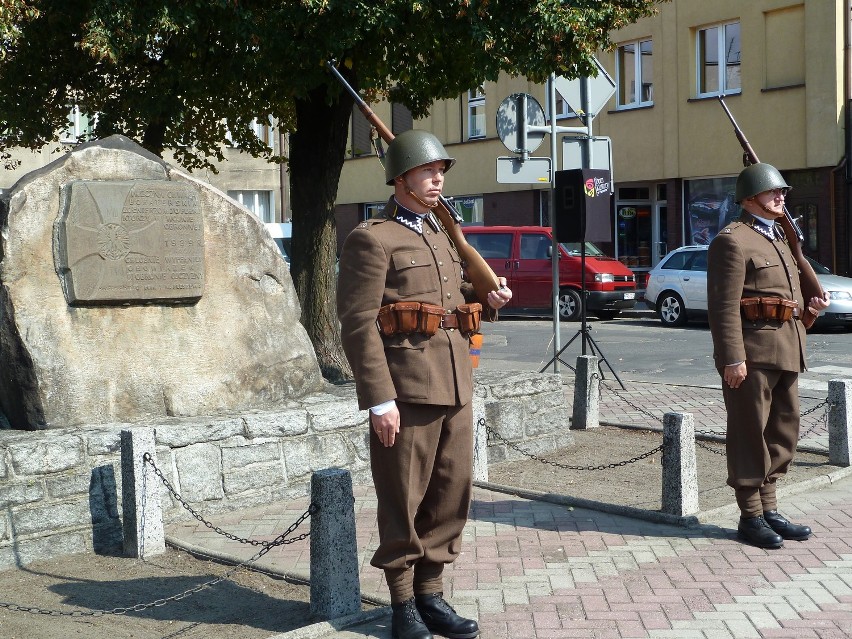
x,y
763,430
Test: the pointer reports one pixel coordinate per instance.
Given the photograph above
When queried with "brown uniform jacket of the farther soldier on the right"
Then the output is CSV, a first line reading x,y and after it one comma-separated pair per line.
x,y
742,262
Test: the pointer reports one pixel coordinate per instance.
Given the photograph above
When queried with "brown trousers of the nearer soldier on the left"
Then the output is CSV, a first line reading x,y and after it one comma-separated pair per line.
x,y
423,484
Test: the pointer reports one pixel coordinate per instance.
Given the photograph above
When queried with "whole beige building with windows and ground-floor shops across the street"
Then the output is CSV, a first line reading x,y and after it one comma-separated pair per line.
x,y
782,68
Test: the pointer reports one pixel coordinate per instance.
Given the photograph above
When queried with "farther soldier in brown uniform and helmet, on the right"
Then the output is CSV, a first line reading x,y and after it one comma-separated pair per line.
x,y
757,320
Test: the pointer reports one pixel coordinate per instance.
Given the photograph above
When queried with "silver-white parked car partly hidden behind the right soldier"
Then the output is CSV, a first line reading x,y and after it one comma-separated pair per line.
x,y
677,289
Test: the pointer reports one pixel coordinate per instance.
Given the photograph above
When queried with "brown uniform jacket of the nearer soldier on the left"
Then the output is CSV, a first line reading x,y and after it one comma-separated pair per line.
x,y
382,262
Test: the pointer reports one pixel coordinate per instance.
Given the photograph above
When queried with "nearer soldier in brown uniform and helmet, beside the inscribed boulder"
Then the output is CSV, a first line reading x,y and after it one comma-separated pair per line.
x,y
400,299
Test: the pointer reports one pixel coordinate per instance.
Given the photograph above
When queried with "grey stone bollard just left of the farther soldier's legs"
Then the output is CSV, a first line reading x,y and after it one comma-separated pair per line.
x,y
680,477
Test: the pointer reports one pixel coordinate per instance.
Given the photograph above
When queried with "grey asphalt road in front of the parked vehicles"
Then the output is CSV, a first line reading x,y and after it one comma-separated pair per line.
x,y
640,348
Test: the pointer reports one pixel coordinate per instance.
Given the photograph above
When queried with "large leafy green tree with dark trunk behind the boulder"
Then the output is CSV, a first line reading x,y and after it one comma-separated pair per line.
x,y
184,75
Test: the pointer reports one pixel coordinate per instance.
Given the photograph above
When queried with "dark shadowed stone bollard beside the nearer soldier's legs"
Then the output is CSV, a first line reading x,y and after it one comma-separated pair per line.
x,y
335,588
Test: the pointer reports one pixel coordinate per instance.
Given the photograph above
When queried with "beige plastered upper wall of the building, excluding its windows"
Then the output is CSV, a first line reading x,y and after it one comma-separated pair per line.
x,y
790,106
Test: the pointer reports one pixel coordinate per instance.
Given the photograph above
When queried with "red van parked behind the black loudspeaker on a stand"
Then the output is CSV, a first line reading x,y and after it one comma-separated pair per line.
x,y
522,254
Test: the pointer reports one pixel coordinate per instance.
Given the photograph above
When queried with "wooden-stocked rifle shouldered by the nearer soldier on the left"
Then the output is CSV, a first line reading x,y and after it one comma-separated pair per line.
x,y
481,275
